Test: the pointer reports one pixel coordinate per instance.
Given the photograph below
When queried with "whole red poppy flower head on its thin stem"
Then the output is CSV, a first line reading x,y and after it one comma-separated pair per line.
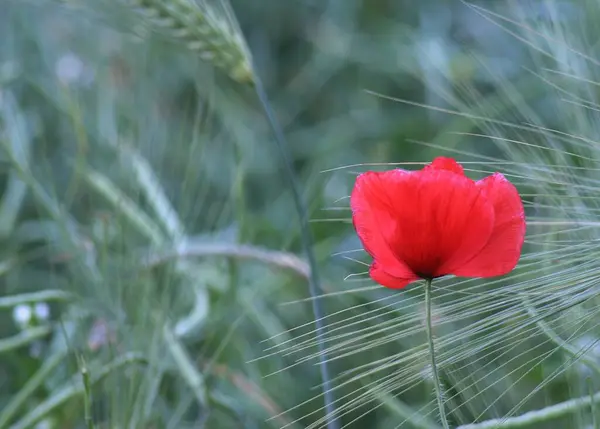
x,y
436,221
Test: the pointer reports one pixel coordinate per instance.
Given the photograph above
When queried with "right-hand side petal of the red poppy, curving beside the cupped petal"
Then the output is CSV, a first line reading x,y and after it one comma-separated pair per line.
x,y
502,252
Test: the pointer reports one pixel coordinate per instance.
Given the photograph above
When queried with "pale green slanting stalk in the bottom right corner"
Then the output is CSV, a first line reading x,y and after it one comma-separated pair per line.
x,y
538,416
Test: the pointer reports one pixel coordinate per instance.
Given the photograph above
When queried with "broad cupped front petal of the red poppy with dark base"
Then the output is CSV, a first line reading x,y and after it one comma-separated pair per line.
x,y
424,223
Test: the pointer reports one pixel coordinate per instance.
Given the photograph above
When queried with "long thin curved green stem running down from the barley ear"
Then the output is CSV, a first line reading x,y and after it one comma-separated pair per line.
x,y
307,242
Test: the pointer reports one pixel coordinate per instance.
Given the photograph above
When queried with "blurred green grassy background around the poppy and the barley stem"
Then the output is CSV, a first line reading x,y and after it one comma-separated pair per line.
x,y
139,186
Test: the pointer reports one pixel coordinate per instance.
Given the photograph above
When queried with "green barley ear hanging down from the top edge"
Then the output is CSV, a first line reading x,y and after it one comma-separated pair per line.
x,y
216,39
